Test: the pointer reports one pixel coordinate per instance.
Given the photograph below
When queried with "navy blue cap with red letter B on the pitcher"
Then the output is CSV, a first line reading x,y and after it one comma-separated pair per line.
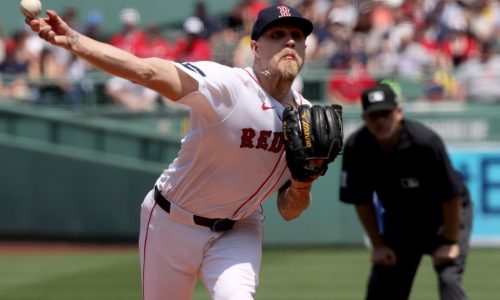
x,y
279,14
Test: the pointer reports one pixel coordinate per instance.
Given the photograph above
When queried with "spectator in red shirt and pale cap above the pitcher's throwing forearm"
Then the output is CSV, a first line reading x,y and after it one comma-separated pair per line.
x,y
131,38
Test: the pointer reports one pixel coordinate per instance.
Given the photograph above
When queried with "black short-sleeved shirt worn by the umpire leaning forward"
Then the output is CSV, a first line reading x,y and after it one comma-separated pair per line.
x,y
411,183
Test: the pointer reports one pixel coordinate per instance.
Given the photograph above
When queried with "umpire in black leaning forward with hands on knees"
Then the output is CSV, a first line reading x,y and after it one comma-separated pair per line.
x,y
408,198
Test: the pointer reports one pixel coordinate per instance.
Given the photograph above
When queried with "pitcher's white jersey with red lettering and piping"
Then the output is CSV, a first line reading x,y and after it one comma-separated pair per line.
x,y
232,159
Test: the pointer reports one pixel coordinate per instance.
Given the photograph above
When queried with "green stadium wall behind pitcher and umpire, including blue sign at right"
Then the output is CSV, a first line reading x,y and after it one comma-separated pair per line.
x,y
82,175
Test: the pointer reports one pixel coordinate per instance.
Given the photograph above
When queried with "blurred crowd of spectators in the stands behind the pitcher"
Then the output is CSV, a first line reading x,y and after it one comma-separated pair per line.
x,y
435,50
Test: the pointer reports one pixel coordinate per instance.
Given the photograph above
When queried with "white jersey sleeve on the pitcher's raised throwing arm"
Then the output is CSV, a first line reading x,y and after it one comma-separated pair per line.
x,y
217,93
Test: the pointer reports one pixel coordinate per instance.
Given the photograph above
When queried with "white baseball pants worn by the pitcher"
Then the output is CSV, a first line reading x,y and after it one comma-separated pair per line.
x,y
174,254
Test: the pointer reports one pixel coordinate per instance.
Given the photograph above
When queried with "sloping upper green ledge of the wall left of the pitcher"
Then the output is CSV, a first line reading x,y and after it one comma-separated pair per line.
x,y
107,134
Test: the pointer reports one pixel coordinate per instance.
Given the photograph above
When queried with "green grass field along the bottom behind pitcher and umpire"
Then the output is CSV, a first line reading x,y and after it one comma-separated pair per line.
x,y
315,274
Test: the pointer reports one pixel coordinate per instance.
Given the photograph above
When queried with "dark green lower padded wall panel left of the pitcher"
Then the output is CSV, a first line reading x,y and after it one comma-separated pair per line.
x,y
50,191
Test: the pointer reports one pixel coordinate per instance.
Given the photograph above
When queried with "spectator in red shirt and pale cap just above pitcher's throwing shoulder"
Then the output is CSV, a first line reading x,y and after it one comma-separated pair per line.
x,y
192,47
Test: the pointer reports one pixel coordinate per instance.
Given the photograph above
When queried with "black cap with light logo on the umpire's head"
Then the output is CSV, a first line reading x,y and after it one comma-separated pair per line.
x,y
378,98
